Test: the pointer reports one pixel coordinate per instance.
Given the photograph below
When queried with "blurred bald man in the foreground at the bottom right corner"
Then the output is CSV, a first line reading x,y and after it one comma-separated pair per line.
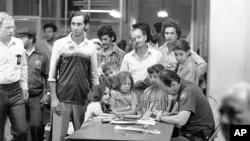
x,y
235,108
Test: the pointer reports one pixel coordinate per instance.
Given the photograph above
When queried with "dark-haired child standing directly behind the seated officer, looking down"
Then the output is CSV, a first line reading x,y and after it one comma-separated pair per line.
x,y
186,68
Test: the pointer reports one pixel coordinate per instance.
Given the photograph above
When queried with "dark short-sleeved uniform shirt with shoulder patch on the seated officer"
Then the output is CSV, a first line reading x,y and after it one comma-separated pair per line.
x,y
193,100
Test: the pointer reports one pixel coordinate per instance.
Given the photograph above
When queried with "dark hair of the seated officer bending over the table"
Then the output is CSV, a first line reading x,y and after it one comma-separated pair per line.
x,y
167,76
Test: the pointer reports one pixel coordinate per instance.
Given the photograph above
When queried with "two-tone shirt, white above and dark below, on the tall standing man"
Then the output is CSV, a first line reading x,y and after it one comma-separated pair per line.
x,y
77,68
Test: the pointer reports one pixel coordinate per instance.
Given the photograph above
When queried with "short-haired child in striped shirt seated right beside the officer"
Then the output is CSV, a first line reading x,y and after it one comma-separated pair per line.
x,y
154,99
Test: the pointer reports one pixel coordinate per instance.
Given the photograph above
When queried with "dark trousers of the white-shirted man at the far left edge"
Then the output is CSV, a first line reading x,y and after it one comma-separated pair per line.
x,y
12,105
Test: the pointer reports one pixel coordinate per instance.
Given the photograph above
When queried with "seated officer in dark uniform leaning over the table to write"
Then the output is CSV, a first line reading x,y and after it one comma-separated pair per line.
x,y
195,115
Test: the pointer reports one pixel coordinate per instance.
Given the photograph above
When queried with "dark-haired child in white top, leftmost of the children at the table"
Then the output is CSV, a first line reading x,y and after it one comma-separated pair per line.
x,y
98,103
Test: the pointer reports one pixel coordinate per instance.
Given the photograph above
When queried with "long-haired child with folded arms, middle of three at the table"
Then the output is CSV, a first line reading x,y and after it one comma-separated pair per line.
x,y
123,101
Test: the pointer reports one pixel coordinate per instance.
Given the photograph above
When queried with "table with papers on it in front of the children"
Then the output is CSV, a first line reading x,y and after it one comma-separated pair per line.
x,y
95,131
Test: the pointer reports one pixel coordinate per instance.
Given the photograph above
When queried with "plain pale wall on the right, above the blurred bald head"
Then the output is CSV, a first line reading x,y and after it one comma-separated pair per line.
x,y
229,47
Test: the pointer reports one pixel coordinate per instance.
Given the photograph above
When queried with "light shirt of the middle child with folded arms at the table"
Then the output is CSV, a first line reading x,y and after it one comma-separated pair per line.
x,y
119,100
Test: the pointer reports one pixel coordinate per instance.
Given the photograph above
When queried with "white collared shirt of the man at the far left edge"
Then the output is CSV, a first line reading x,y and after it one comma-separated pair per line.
x,y
13,64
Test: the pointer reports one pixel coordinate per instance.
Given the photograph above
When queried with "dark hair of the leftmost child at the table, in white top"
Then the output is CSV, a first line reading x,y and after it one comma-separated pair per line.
x,y
96,93
